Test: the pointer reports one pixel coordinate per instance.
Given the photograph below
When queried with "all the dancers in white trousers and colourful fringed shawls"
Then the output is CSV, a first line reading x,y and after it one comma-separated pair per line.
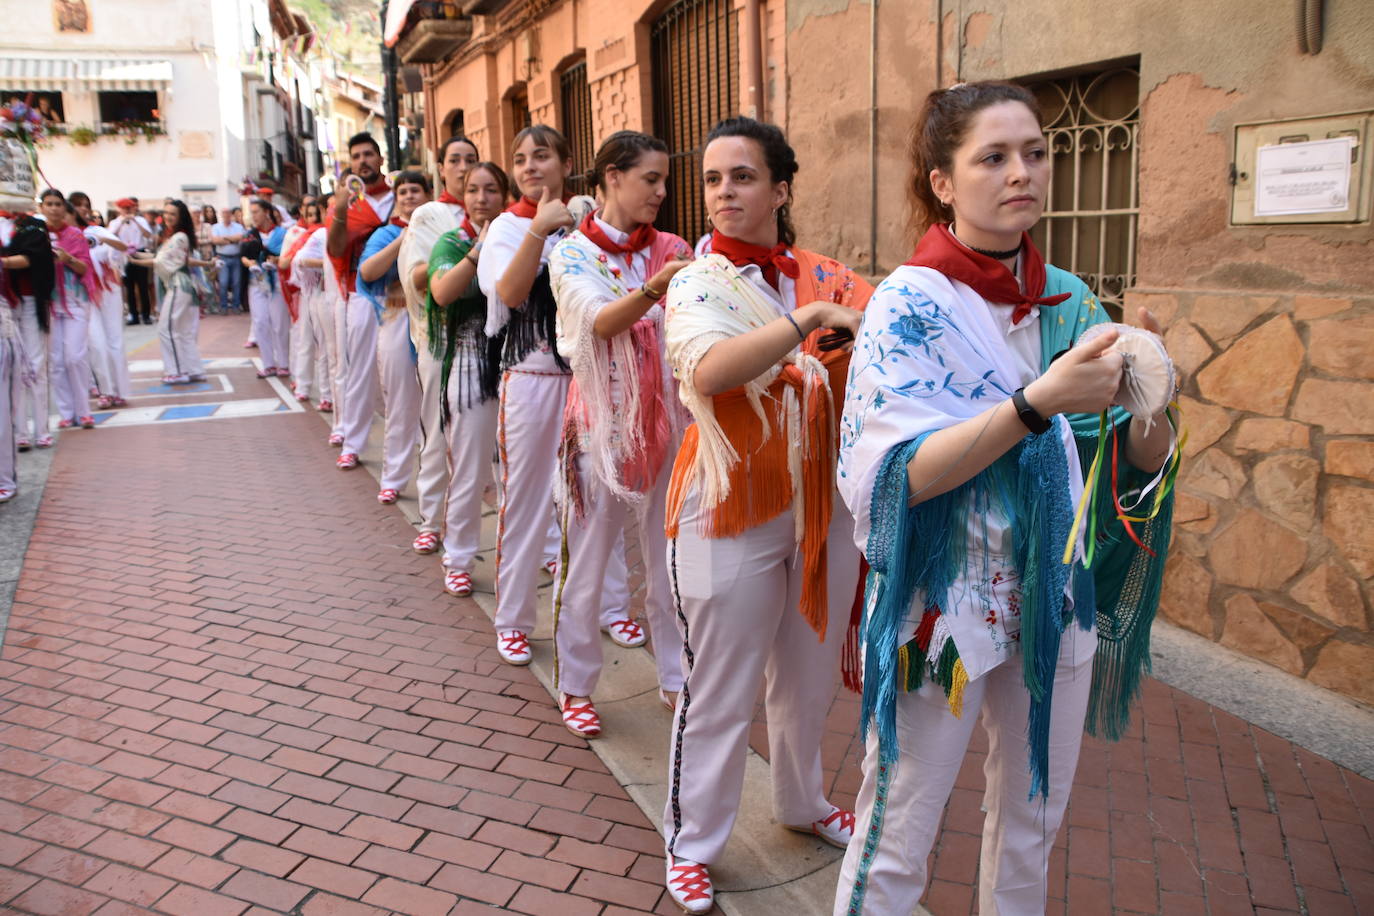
x,y
825,477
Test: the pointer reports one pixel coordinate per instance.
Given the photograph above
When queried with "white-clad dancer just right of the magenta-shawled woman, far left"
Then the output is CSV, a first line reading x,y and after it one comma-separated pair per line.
x,y
109,253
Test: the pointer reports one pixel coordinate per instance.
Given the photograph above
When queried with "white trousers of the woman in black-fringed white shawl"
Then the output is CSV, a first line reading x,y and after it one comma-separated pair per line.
x,y
530,420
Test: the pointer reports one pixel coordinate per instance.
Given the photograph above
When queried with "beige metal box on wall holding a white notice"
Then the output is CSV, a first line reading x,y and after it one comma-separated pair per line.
x,y
1306,171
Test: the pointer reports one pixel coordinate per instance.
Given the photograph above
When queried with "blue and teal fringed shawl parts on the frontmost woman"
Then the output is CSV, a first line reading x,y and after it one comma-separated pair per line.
x,y
924,549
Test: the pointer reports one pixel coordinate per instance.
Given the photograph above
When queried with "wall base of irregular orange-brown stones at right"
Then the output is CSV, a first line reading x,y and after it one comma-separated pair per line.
x,y
1274,524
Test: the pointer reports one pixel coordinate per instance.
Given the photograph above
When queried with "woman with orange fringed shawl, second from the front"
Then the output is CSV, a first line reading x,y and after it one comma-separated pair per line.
x,y
763,566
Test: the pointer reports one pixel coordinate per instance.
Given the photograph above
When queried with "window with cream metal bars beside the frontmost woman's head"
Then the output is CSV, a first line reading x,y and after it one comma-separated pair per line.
x,y
1093,124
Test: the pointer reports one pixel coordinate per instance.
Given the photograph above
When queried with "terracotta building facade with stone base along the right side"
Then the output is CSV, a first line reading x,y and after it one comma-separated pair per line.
x,y
1156,112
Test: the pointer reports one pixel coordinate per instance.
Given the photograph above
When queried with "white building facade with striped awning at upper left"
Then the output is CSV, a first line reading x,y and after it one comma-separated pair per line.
x,y
155,101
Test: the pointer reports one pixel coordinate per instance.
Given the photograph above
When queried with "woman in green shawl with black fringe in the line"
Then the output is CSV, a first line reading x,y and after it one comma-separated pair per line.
x,y
455,315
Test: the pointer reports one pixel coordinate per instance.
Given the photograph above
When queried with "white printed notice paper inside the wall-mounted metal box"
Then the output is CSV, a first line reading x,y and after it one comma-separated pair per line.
x,y
1303,178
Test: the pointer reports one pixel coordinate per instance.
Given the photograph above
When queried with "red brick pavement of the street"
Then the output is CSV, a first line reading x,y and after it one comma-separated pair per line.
x,y
230,687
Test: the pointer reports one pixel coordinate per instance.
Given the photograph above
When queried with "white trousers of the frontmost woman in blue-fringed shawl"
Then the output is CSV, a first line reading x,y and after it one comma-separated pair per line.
x,y
895,840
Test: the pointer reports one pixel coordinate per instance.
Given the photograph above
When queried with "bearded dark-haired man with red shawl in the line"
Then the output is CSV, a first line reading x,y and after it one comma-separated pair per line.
x,y
354,219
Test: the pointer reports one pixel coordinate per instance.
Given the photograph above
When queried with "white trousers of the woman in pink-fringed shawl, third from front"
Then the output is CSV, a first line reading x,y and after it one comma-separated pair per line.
x,y
581,598
